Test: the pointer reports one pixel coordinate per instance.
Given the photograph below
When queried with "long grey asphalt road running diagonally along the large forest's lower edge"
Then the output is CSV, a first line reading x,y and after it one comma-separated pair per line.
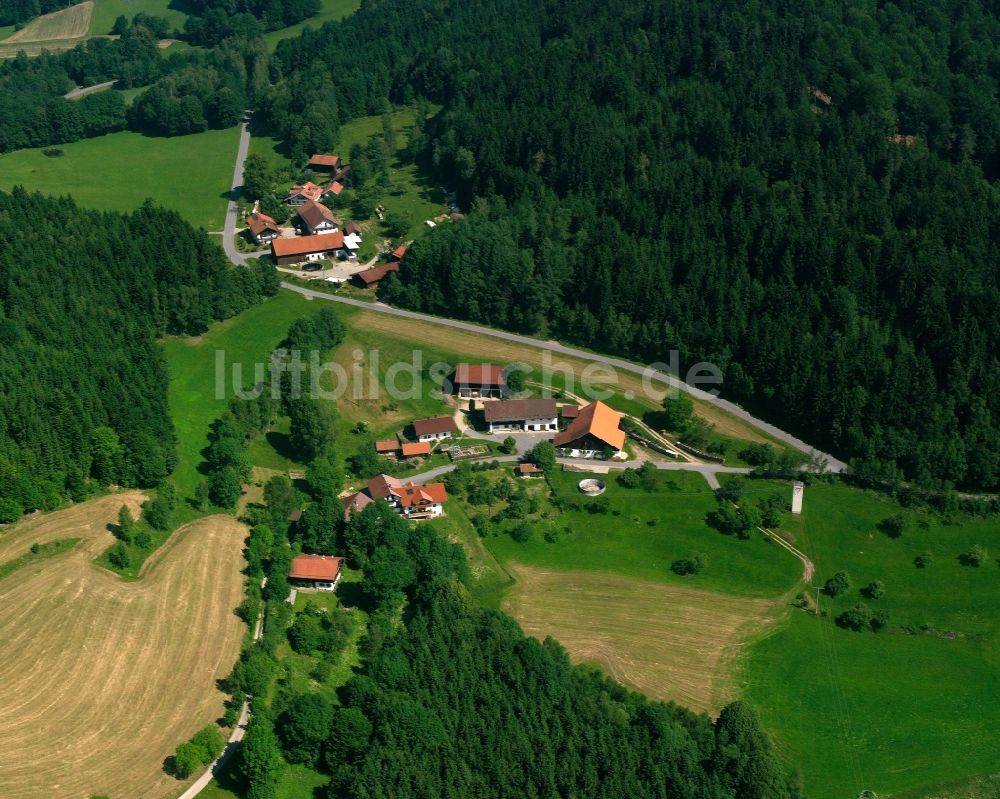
x,y
832,463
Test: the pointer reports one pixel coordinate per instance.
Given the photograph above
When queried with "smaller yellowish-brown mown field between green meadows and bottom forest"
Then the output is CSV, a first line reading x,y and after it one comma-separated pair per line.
x,y
671,643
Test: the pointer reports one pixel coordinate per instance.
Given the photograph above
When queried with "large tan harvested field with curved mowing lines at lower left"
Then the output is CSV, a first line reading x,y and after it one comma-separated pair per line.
x,y
103,678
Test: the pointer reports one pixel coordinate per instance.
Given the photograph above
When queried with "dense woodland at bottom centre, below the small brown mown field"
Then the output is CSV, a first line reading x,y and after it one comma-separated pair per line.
x,y
452,700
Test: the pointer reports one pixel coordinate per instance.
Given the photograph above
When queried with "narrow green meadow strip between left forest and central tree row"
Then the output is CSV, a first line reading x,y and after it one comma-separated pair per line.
x,y
246,340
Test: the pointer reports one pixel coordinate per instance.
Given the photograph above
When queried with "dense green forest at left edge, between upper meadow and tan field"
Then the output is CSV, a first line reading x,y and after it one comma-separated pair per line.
x,y
83,385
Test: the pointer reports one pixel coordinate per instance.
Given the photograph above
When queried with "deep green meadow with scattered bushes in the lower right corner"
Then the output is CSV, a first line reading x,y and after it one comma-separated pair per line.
x,y
898,711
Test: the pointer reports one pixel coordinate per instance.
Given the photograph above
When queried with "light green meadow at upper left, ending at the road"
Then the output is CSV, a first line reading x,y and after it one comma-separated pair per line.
x,y
117,172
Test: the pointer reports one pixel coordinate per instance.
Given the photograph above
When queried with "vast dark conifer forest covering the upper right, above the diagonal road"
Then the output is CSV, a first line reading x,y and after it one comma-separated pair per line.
x,y
803,193
